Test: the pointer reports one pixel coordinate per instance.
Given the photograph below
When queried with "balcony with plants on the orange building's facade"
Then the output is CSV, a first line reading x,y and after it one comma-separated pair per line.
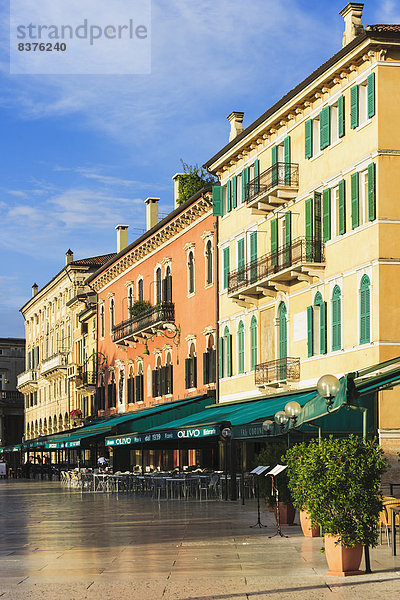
x,y
146,324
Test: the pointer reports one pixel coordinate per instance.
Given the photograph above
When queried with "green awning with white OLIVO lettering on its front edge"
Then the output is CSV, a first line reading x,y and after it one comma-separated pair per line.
x,y
206,423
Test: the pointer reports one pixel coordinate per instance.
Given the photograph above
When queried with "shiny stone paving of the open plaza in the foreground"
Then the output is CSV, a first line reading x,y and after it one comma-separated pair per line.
x,y
58,544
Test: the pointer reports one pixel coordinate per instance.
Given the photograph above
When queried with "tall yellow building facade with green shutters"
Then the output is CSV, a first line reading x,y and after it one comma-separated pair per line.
x,y
309,245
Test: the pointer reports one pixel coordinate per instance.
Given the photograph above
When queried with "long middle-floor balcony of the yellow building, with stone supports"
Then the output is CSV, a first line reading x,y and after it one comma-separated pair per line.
x,y
302,260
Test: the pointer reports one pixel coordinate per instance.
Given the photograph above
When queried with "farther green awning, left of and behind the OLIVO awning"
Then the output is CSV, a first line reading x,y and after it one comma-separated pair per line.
x,y
143,419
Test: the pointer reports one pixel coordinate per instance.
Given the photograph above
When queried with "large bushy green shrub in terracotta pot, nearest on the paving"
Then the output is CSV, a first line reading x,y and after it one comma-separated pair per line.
x,y
339,487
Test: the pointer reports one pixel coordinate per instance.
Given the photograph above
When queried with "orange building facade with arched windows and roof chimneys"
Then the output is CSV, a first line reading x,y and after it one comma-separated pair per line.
x,y
157,314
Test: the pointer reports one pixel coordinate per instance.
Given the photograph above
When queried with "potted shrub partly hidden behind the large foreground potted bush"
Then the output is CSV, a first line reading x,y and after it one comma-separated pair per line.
x,y
298,488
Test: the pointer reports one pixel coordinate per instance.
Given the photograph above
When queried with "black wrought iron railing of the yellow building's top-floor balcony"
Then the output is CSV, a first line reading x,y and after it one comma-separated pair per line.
x,y
279,175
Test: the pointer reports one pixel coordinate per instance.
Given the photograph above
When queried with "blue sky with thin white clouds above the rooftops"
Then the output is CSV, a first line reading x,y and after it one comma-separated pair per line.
x,y
80,154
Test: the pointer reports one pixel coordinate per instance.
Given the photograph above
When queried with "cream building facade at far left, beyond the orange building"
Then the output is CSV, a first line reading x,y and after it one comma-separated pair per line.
x,y
50,395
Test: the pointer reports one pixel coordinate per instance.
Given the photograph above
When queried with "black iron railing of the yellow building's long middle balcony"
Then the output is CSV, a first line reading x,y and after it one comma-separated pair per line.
x,y
300,251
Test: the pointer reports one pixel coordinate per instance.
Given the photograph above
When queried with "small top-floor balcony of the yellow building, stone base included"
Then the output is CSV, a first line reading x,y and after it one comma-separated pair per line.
x,y
273,187
